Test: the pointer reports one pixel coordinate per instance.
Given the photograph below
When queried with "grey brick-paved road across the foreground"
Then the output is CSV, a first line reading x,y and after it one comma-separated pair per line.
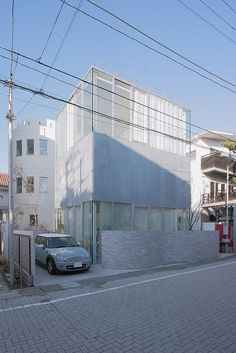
x,y
172,311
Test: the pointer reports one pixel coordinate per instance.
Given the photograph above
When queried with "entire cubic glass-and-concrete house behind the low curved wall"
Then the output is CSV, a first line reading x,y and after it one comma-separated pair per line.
x,y
120,163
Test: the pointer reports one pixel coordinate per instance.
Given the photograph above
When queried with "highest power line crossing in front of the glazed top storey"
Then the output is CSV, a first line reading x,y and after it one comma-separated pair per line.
x,y
106,90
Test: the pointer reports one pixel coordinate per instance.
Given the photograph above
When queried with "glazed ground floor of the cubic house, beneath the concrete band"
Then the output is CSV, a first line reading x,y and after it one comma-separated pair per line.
x,y
87,221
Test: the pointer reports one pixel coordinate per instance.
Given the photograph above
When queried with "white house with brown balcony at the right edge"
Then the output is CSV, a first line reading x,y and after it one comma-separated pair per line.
x,y
209,161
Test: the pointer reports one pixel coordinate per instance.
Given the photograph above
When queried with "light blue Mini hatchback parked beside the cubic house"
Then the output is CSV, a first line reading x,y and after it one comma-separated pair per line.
x,y
61,252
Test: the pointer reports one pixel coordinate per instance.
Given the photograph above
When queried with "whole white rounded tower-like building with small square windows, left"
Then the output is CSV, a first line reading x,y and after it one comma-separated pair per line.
x,y
33,163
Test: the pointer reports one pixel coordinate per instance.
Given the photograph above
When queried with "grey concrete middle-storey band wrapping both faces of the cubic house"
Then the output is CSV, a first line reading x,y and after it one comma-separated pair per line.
x,y
126,172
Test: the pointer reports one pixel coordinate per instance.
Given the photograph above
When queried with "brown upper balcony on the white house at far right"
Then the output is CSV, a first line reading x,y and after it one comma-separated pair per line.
x,y
214,166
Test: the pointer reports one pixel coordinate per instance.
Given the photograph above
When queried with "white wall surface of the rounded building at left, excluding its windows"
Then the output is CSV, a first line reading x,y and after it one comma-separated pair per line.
x,y
35,165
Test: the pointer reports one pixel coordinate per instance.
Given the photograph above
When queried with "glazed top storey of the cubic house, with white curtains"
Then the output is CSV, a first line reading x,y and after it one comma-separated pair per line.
x,y
109,105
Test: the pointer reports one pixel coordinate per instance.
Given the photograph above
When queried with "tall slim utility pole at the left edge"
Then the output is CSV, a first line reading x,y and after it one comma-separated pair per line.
x,y
10,117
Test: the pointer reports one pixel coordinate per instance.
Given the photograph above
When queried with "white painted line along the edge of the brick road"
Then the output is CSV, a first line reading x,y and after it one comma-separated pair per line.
x,y
53,301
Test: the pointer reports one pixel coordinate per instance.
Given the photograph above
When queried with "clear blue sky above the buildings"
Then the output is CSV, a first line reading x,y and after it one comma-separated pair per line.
x,y
90,43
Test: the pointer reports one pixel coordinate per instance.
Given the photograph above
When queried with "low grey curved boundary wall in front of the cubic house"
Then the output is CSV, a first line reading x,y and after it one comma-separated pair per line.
x,y
137,250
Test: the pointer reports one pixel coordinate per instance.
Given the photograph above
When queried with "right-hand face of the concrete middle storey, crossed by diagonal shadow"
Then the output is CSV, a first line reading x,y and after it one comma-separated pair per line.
x,y
131,172
